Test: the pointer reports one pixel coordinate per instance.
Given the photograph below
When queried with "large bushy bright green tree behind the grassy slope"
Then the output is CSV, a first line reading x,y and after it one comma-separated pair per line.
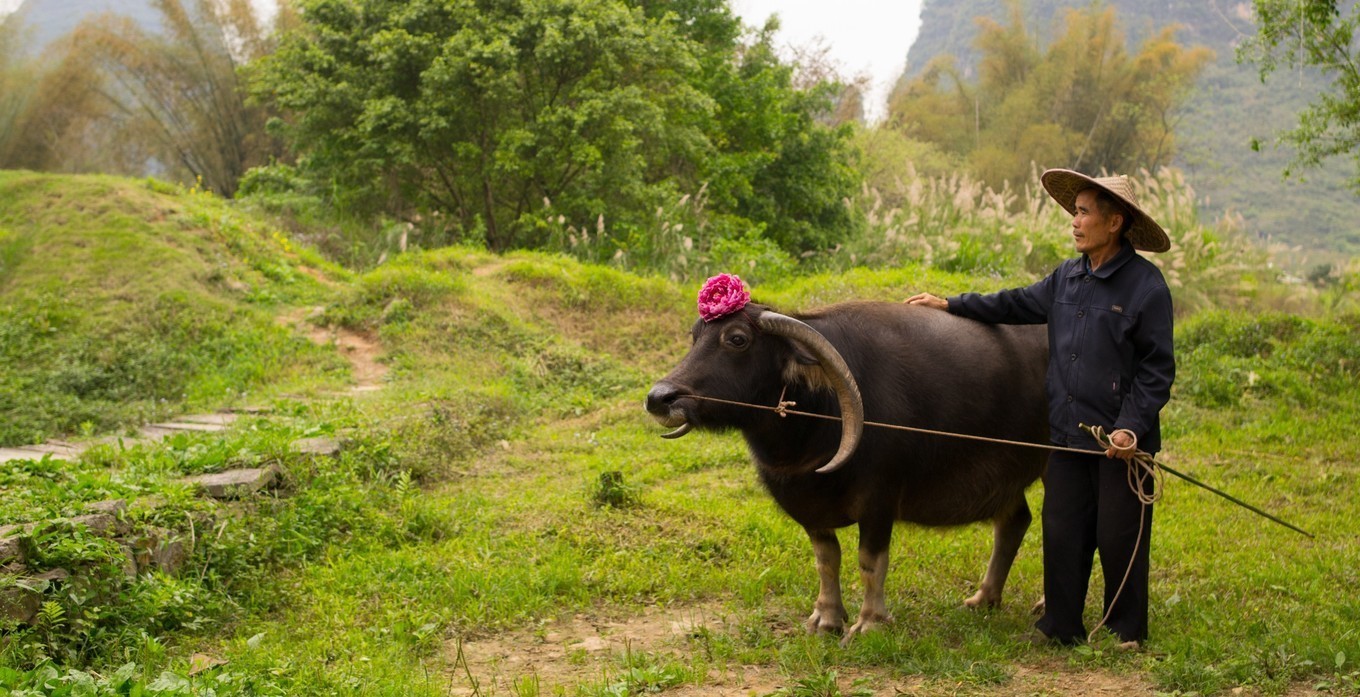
x,y
496,118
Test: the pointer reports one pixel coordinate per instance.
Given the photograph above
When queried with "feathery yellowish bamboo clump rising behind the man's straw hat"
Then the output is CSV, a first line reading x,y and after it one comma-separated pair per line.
x,y
1082,103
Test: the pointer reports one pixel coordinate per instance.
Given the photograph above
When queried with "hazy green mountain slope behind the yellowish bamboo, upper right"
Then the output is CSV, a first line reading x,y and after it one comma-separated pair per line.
x,y
1225,112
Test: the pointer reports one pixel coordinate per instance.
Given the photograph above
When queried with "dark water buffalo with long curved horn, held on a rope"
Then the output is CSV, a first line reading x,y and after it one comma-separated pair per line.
x,y
889,364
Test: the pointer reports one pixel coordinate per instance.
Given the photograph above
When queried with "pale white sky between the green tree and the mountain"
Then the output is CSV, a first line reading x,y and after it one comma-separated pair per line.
x,y
863,36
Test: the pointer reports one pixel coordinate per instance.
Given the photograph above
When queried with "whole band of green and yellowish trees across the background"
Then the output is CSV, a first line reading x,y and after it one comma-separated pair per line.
x,y
659,135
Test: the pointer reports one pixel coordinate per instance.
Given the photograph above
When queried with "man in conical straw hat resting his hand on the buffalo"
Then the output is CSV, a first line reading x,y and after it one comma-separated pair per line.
x,y
1110,364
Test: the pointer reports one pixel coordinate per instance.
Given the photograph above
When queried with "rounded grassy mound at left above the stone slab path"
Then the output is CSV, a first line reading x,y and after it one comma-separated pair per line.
x,y
126,302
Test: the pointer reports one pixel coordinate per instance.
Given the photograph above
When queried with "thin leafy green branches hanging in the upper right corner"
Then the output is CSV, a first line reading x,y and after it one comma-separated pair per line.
x,y
1313,33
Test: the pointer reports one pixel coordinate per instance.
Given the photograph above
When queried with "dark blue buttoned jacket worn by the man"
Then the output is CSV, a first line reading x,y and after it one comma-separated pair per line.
x,y
1110,355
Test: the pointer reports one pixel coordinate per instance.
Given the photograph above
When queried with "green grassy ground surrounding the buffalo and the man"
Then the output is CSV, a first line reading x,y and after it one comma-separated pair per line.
x,y
471,503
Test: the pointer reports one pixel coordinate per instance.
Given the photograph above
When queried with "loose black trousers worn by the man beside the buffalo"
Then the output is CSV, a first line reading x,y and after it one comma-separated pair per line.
x,y
1089,506
